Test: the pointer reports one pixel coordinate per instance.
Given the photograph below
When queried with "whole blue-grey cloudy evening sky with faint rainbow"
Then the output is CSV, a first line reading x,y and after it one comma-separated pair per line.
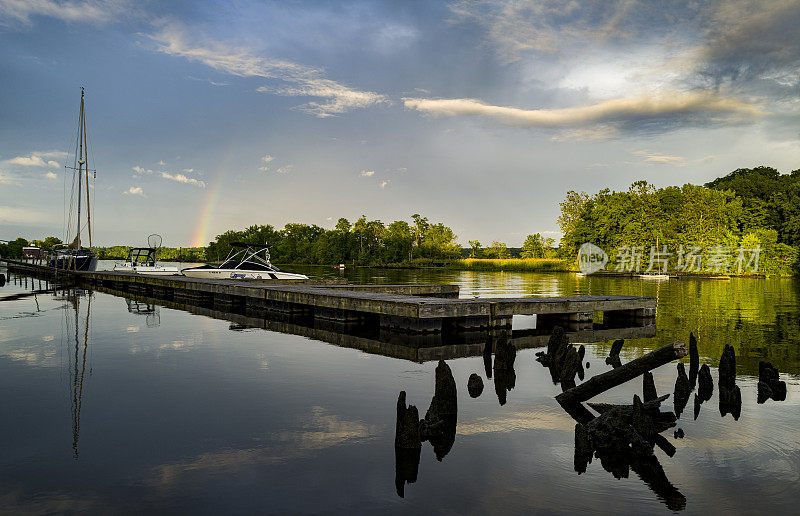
x,y
205,116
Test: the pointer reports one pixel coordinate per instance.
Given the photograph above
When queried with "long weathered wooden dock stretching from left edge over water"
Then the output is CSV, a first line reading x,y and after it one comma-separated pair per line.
x,y
410,308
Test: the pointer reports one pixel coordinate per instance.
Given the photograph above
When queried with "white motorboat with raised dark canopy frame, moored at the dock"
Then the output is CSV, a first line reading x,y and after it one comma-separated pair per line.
x,y
245,261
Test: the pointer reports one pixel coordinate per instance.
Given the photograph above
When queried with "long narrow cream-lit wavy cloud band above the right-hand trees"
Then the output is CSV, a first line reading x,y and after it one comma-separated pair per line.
x,y
649,107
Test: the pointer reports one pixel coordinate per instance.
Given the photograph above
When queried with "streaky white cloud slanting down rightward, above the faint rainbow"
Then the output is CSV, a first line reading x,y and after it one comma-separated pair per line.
x,y
303,81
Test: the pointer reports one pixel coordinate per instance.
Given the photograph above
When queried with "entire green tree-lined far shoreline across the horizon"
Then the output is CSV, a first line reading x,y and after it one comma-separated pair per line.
x,y
748,209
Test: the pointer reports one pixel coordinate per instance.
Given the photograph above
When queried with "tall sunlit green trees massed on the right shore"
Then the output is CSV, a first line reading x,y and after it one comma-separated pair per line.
x,y
747,208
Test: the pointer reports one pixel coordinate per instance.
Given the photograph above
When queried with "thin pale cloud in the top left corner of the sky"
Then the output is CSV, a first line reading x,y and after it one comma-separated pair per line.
x,y
94,11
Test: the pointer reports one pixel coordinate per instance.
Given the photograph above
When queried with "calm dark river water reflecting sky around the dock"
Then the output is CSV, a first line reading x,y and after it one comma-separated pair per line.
x,y
110,404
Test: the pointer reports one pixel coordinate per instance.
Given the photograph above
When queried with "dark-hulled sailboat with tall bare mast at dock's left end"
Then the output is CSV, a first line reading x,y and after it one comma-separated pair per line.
x,y
74,256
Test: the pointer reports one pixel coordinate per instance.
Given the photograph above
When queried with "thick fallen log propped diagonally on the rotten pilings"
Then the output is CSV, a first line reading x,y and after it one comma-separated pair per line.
x,y
622,374
